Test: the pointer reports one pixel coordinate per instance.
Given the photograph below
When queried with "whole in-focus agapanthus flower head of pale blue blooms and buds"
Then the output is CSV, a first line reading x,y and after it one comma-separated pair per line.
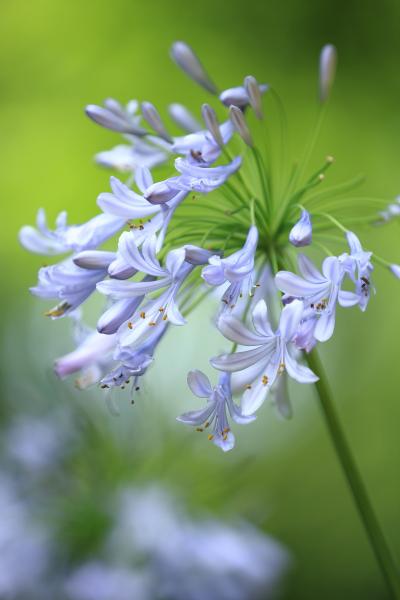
x,y
217,220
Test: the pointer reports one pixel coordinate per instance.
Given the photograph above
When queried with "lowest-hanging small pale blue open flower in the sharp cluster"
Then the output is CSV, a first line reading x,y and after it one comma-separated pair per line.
x,y
215,413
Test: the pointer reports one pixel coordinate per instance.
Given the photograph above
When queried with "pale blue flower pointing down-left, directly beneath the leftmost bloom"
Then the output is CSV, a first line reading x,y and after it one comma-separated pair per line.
x,y
67,282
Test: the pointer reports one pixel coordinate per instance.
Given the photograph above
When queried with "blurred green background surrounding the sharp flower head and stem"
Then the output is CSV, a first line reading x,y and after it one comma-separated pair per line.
x,y
57,56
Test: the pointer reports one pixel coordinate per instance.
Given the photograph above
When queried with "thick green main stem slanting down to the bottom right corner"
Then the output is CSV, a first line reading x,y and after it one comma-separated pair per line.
x,y
352,474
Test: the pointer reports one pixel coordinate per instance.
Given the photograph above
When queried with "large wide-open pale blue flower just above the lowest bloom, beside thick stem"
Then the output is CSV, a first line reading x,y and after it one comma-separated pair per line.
x,y
269,356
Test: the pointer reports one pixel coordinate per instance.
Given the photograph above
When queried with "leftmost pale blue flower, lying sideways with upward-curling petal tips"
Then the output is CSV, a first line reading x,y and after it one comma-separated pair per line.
x,y
65,237
